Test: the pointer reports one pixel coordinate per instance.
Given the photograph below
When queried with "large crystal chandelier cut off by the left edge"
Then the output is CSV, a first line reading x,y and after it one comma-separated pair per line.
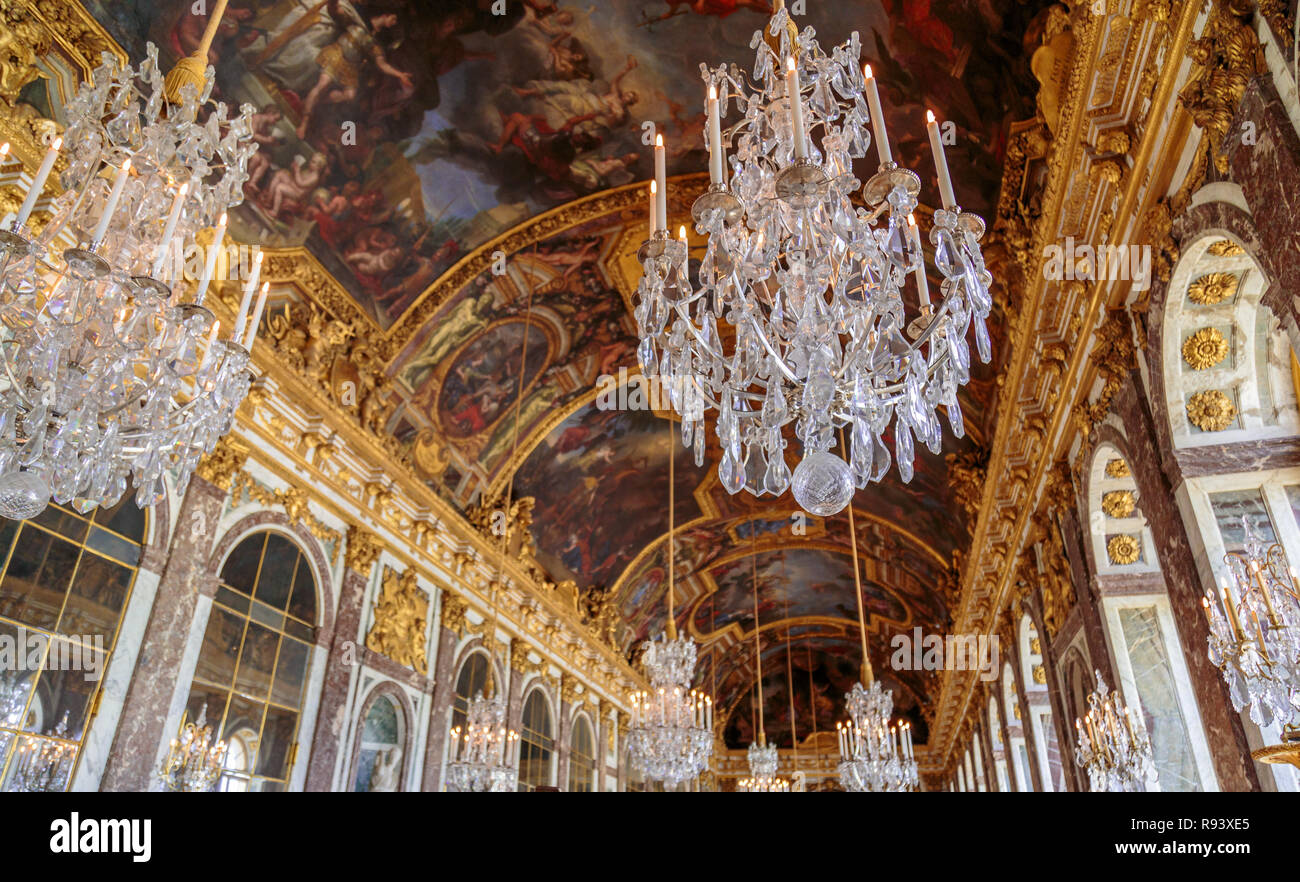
x,y
107,374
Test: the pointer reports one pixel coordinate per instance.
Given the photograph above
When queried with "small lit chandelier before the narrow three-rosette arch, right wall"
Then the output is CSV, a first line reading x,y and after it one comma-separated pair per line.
x,y
1117,755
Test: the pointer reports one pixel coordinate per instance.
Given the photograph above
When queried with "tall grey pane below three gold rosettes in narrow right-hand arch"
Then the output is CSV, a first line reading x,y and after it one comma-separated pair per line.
x,y
1160,708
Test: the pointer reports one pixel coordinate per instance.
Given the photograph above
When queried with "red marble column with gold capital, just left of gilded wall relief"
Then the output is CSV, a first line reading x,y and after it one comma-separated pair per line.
x,y
345,652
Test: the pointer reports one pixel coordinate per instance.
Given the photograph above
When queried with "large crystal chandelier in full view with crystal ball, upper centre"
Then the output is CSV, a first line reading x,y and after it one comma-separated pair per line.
x,y
799,314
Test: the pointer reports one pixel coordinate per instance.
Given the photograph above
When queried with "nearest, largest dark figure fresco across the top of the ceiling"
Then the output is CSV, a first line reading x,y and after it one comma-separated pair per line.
x,y
398,136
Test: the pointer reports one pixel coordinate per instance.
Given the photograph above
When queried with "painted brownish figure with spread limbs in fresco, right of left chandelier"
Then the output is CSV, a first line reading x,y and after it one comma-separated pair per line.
x,y
344,62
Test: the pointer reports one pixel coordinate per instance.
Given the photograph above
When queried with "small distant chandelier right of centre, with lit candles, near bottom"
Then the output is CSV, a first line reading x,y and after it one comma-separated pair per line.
x,y
876,755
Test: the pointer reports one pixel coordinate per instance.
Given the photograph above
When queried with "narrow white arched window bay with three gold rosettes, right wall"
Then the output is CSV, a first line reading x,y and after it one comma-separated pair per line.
x,y
1149,654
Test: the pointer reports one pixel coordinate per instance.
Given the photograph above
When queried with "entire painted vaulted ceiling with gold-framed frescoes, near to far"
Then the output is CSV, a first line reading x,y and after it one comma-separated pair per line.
x,y
398,137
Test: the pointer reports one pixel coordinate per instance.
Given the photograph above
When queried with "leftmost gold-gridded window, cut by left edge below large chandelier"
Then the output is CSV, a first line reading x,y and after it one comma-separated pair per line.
x,y
67,580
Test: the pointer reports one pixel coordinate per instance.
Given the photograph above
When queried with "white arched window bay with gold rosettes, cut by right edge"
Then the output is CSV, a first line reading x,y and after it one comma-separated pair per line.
x,y
1230,377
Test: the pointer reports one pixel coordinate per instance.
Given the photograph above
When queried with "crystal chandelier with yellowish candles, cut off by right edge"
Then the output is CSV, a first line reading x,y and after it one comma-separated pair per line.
x,y
1255,635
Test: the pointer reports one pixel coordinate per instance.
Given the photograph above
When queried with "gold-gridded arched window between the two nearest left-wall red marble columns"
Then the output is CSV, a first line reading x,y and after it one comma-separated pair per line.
x,y
255,659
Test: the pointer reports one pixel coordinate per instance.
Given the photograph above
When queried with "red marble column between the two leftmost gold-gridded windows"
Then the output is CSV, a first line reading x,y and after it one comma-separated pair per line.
x,y
154,682
